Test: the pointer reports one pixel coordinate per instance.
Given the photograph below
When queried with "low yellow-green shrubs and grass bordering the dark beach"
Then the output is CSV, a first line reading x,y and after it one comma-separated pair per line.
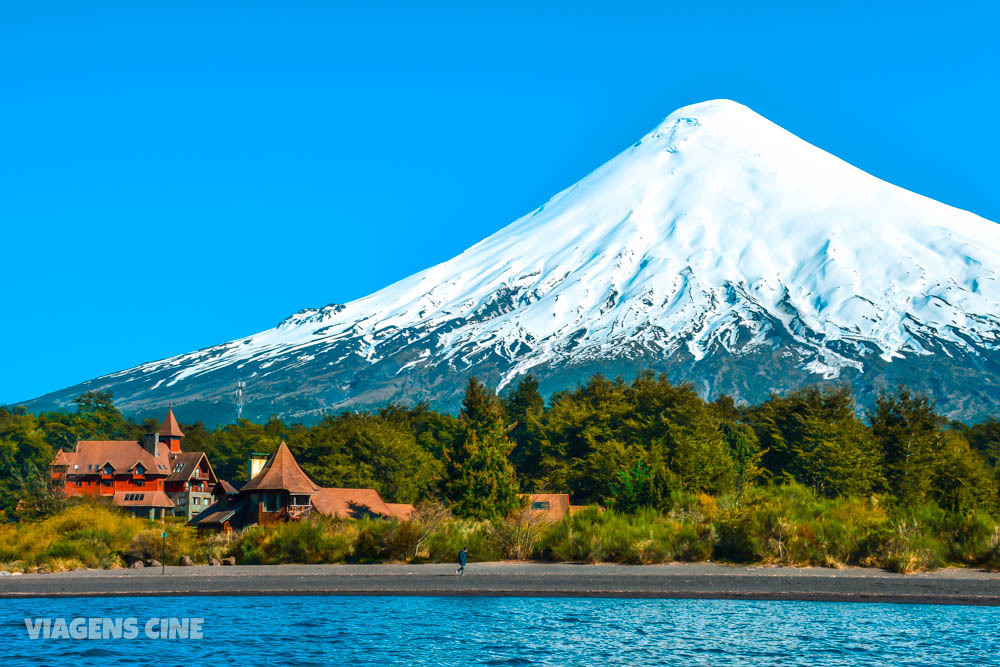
x,y
782,524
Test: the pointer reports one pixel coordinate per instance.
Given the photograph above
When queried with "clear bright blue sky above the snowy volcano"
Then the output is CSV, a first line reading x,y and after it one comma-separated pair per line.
x,y
174,177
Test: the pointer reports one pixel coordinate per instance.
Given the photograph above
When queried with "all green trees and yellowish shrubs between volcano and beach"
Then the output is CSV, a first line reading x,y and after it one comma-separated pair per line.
x,y
801,479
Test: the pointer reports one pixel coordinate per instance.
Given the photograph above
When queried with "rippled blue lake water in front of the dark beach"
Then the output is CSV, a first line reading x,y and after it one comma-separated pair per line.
x,y
301,631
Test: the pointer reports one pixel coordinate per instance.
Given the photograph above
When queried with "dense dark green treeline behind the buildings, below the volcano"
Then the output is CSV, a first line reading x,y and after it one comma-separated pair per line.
x,y
629,446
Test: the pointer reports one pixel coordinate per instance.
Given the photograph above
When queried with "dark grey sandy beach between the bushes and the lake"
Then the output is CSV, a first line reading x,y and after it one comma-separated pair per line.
x,y
524,579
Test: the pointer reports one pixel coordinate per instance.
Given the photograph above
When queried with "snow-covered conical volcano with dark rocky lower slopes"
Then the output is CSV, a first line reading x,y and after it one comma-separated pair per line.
x,y
719,248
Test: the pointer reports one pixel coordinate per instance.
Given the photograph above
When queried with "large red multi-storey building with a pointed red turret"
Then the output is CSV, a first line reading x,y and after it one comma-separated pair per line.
x,y
152,477
